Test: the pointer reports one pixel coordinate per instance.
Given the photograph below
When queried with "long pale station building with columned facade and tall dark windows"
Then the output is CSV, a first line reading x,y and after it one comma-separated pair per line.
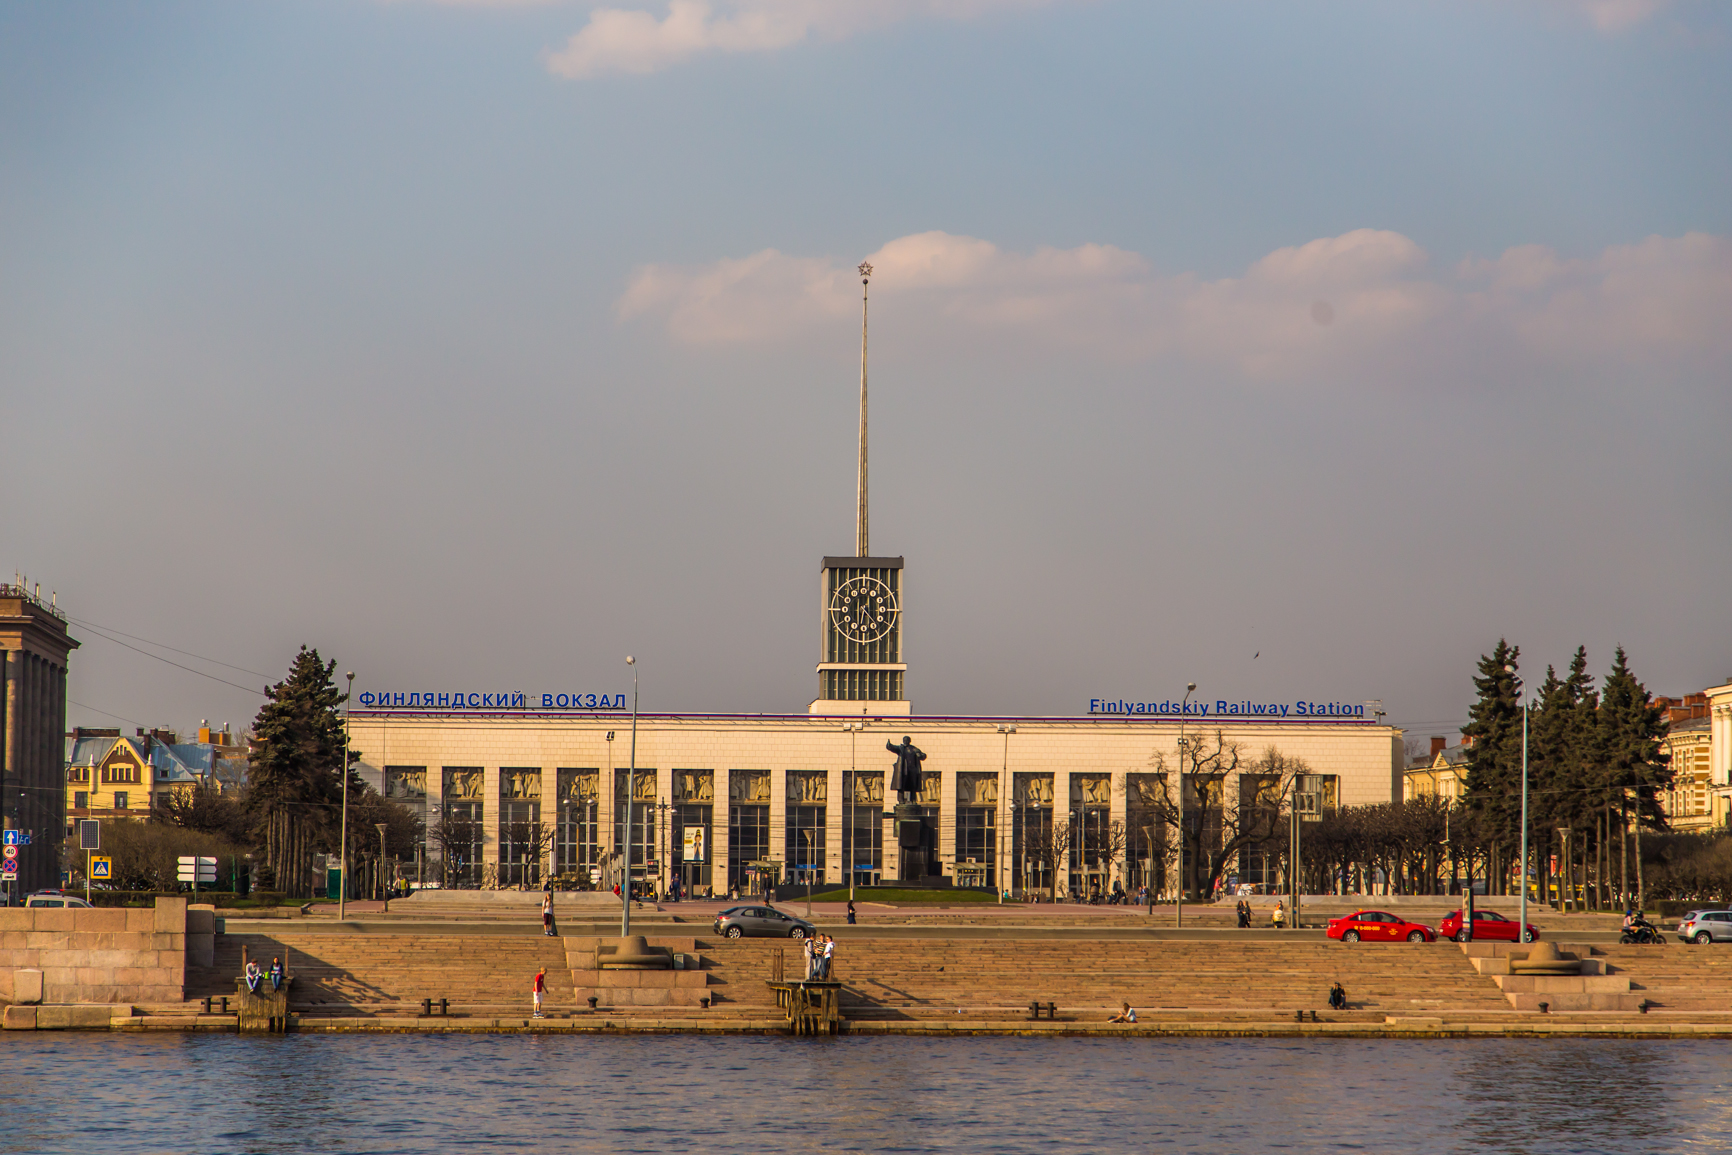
x,y
512,796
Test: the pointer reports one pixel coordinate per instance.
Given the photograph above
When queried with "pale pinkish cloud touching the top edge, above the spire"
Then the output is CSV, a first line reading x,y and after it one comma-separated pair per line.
x,y
633,41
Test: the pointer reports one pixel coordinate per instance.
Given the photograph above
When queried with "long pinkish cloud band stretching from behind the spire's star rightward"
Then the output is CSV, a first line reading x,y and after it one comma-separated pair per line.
x,y
1367,302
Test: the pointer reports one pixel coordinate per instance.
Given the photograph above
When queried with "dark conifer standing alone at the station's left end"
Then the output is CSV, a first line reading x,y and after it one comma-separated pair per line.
x,y
294,784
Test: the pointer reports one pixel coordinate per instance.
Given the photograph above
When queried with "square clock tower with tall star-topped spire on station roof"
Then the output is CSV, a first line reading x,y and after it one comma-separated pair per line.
x,y
862,605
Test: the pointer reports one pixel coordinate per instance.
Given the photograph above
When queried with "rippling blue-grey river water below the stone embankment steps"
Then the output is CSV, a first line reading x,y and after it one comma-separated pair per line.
x,y
117,1095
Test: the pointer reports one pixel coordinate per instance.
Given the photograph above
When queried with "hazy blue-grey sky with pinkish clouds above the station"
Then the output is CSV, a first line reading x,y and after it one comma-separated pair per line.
x,y
1300,352
